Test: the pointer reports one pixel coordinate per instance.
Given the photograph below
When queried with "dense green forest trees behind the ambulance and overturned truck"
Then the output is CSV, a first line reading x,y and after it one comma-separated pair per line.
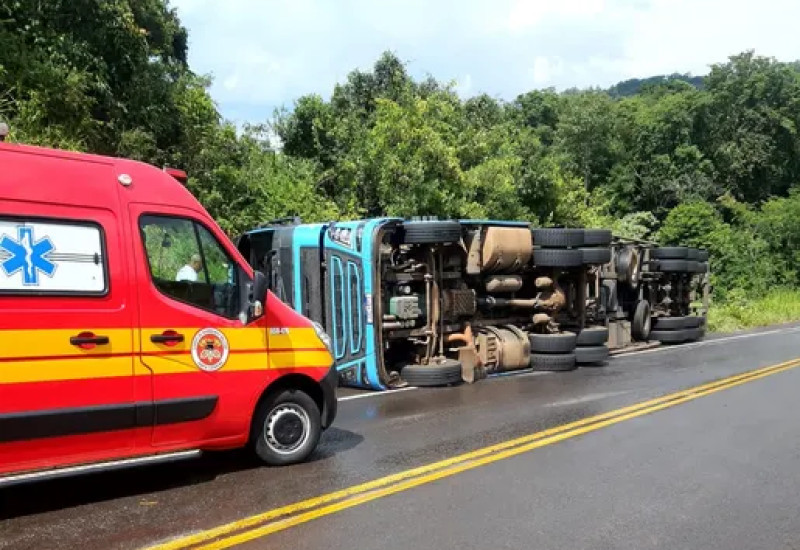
x,y
711,161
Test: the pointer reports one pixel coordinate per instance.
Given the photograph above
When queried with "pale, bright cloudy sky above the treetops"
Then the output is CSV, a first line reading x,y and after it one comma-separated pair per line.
x,y
265,54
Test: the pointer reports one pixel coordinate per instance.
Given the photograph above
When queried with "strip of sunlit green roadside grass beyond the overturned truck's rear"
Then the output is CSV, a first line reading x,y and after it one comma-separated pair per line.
x,y
777,306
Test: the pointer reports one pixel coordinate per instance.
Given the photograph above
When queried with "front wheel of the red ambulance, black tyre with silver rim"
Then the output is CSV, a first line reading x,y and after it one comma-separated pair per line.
x,y
286,428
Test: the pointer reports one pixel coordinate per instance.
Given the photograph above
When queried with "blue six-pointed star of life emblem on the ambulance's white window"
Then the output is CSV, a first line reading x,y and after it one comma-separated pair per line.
x,y
27,255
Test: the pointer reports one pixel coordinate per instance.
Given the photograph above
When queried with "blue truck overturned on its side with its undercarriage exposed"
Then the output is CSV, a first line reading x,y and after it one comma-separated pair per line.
x,y
429,302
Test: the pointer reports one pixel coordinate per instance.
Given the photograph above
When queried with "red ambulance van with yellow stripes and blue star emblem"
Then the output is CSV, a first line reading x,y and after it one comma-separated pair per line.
x,y
130,326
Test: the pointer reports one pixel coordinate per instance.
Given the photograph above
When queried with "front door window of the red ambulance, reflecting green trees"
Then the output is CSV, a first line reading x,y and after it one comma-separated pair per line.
x,y
188,264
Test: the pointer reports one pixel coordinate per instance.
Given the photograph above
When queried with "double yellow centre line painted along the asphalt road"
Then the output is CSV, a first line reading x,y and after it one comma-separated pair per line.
x,y
279,519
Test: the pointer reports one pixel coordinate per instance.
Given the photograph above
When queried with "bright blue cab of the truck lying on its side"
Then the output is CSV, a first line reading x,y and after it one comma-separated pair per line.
x,y
327,271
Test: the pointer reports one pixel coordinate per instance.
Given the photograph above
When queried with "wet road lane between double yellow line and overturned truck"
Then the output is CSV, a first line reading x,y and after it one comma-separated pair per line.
x,y
372,437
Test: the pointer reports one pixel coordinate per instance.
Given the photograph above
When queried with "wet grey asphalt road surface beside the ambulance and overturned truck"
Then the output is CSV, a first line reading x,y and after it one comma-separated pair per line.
x,y
718,471
